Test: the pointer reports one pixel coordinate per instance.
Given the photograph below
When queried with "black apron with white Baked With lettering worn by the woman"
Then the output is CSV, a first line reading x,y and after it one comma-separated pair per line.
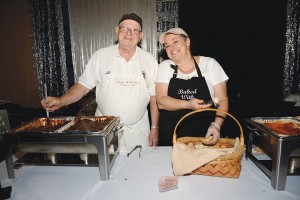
x,y
193,125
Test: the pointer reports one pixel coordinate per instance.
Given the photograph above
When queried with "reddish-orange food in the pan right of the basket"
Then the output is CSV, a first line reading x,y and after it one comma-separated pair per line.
x,y
284,126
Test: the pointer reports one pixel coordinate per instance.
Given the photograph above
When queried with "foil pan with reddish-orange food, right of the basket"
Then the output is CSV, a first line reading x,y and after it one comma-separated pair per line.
x,y
290,125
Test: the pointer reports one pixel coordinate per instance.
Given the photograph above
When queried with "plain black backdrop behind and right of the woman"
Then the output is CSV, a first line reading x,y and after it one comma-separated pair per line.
x,y
248,39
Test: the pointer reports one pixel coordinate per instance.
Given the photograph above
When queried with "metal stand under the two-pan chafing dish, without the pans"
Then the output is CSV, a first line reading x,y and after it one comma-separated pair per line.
x,y
102,142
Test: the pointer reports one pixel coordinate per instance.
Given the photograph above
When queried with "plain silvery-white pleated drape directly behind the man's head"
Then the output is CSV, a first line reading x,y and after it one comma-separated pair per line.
x,y
92,26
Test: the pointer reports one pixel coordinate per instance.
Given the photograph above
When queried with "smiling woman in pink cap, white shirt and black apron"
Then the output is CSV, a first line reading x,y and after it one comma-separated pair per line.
x,y
184,83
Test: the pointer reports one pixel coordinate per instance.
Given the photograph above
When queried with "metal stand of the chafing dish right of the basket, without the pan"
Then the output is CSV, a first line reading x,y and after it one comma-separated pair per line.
x,y
279,148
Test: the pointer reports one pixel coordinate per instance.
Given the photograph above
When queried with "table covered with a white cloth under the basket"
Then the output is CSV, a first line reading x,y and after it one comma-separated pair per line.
x,y
137,178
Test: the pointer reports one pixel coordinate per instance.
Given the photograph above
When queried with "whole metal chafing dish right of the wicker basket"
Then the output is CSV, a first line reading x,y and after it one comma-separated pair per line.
x,y
279,138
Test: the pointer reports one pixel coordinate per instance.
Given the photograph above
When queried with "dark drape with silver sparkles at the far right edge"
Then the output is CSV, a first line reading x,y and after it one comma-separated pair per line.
x,y
292,54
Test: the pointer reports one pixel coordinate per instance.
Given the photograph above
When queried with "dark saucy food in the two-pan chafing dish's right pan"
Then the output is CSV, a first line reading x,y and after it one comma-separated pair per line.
x,y
91,124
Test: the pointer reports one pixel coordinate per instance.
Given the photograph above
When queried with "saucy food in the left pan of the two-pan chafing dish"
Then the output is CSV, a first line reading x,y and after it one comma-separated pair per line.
x,y
44,125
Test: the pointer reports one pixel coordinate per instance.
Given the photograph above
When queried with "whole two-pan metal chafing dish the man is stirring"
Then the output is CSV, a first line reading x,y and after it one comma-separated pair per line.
x,y
60,136
